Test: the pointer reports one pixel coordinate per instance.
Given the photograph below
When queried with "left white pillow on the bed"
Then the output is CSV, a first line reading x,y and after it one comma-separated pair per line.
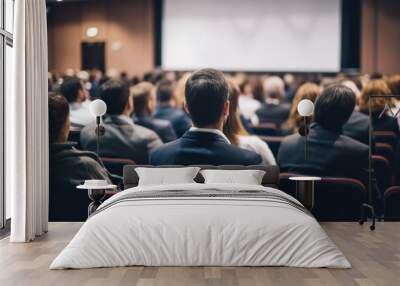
x,y
166,176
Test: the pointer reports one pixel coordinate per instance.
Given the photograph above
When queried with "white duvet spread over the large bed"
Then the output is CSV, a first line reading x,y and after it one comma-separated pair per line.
x,y
202,231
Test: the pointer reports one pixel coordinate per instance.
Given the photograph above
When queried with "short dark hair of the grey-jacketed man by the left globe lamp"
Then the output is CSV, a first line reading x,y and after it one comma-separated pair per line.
x,y
115,94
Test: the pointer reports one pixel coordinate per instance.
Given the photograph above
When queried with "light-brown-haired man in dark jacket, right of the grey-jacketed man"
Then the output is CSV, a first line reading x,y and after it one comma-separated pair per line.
x,y
144,99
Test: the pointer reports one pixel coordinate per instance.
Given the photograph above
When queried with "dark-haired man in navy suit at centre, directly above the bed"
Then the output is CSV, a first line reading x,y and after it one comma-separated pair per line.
x,y
207,100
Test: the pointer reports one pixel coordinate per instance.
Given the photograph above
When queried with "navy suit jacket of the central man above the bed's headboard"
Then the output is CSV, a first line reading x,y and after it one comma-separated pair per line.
x,y
196,147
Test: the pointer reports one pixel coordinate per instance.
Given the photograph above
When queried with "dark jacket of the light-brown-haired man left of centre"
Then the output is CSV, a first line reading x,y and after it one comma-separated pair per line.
x,y
162,127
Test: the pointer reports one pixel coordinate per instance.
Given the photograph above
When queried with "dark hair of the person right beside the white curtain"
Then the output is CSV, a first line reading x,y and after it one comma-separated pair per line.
x,y
58,114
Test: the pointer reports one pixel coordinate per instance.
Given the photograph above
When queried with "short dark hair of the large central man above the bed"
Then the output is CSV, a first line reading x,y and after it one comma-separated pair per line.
x,y
206,92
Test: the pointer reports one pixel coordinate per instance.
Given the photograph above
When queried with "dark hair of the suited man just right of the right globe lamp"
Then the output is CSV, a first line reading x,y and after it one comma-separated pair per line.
x,y
334,107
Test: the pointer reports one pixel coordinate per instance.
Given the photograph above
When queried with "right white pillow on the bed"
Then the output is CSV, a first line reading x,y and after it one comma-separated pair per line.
x,y
248,177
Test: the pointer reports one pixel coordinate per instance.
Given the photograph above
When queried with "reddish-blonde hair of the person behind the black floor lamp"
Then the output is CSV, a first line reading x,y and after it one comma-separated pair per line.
x,y
375,87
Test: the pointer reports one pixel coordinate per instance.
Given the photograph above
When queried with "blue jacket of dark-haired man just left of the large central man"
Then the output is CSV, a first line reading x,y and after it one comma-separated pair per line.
x,y
180,120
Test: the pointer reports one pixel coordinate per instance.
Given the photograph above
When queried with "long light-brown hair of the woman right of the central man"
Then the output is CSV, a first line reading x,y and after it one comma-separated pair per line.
x,y
233,127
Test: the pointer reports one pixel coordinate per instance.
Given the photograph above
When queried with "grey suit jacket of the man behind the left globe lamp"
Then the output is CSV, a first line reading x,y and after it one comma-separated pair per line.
x,y
122,139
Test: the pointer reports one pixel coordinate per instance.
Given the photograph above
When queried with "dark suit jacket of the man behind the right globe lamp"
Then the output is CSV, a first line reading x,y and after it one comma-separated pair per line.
x,y
329,154
